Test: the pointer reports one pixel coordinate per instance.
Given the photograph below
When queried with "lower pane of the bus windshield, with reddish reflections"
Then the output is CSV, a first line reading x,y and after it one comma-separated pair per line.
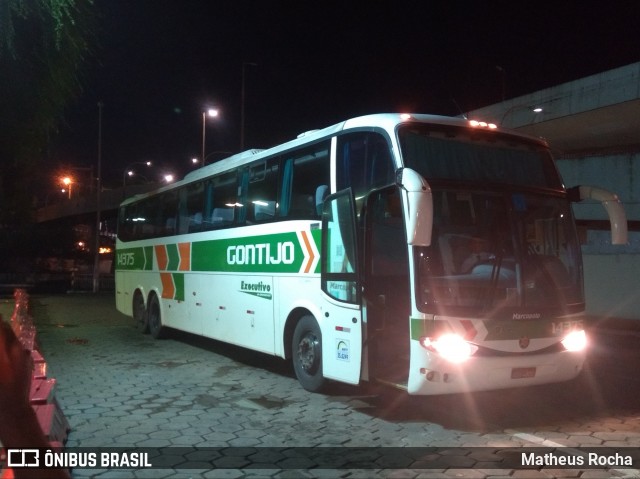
x,y
492,251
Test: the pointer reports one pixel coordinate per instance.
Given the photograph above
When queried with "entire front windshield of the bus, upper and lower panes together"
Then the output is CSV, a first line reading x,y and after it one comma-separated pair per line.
x,y
501,238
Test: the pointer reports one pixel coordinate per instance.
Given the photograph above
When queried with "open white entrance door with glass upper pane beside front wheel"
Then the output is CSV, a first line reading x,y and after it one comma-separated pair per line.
x,y
342,321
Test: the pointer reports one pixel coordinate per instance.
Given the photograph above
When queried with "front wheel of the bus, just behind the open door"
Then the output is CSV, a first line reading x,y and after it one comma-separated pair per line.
x,y
306,352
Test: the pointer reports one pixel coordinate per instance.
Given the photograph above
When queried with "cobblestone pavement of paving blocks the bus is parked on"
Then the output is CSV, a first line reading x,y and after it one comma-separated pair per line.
x,y
119,388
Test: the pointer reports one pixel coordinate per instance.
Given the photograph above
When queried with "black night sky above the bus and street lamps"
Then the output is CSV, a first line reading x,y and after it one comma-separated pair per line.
x,y
160,62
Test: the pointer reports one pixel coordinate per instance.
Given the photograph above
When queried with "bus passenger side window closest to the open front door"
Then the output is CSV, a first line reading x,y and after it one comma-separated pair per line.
x,y
304,173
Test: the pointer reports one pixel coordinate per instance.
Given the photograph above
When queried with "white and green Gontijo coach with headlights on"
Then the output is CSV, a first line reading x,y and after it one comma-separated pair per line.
x,y
434,254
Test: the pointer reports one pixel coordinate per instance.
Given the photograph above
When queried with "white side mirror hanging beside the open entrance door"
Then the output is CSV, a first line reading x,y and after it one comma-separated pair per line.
x,y
418,206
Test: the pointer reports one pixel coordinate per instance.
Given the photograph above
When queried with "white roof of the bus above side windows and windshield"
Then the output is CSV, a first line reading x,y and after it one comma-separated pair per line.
x,y
386,121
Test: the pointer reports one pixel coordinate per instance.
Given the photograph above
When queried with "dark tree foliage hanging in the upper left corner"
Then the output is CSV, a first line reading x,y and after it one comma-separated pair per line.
x,y
43,48
